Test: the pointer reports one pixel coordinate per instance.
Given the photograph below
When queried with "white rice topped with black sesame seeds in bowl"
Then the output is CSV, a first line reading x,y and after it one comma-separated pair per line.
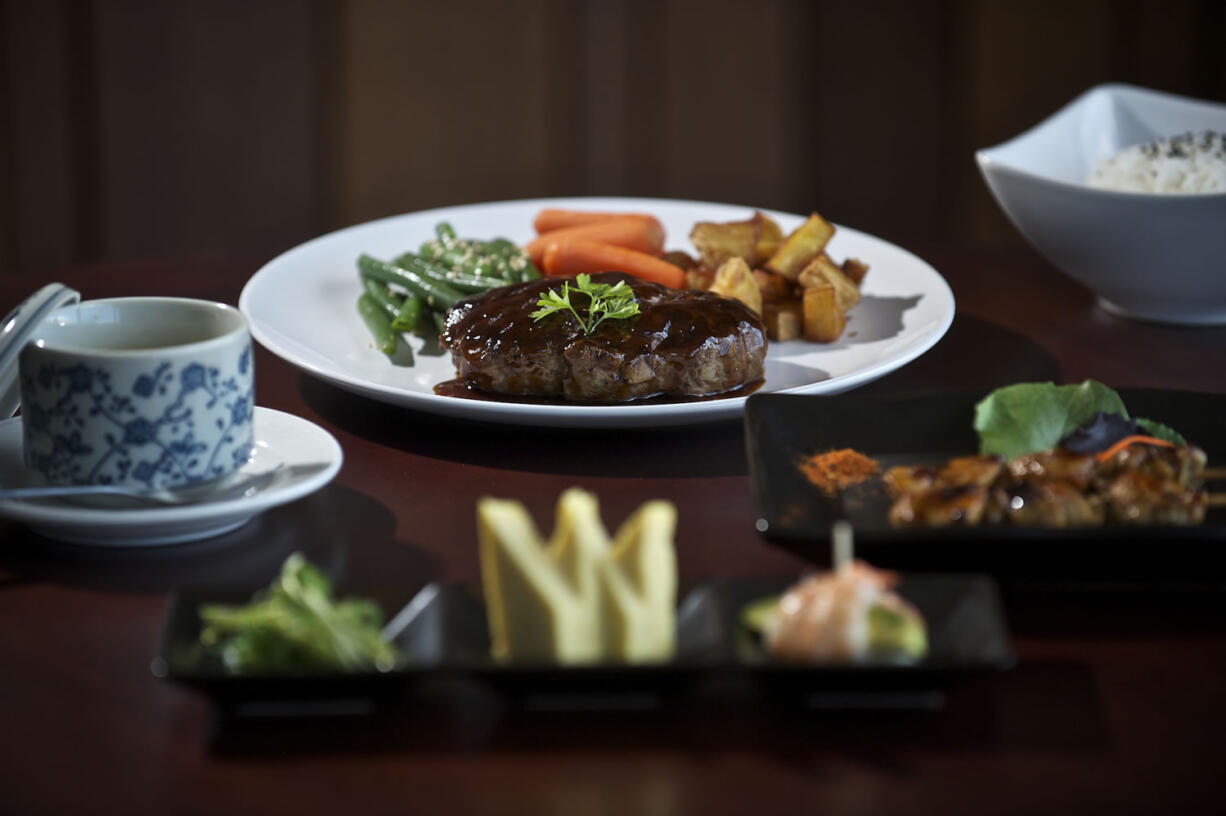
x,y
1189,164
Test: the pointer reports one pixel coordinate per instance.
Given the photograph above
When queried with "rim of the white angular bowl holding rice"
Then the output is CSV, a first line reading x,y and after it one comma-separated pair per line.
x,y
989,156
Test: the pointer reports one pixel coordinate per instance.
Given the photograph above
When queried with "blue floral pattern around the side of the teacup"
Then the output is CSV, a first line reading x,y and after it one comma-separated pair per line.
x,y
169,425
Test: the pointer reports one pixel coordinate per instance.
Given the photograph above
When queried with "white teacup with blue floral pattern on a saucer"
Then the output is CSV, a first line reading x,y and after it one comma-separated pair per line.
x,y
144,393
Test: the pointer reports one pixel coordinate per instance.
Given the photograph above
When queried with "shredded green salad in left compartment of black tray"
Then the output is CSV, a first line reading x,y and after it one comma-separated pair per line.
x,y
296,625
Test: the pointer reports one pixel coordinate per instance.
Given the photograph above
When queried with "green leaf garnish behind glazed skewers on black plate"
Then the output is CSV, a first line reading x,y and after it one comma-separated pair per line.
x,y
1034,417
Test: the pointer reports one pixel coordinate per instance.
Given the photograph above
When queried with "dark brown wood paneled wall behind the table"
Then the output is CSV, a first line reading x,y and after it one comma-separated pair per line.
x,y
167,128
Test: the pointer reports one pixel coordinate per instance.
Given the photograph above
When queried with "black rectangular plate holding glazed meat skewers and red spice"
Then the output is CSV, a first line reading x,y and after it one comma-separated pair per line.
x,y
782,429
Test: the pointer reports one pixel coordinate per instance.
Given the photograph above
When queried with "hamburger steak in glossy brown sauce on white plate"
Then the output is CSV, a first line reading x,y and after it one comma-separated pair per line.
x,y
682,344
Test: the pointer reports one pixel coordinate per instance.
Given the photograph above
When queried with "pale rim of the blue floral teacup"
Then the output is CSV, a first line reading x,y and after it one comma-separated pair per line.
x,y
231,323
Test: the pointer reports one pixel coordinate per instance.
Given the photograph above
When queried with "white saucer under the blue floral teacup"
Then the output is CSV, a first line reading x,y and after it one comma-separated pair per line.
x,y
280,439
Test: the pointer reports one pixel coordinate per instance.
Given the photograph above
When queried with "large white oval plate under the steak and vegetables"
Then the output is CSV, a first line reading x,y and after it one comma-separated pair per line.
x,y
302,308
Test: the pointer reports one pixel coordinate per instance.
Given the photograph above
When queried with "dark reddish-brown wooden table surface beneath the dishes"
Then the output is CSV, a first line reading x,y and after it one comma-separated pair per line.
x,y
1115,703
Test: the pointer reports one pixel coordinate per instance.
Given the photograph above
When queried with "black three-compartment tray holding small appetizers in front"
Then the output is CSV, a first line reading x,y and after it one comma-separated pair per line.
x,y
442,634
